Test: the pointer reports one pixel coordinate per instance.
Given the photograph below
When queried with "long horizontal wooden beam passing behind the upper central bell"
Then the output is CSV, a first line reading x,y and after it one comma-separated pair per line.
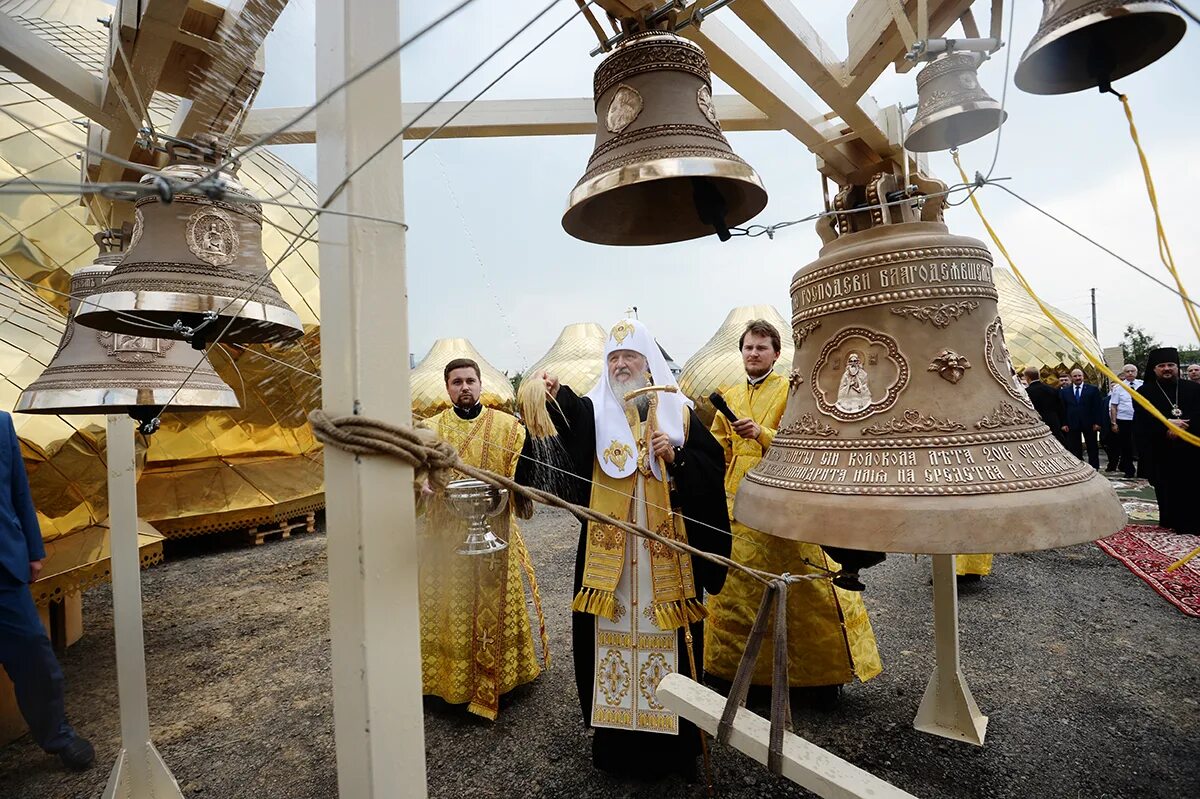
x,y
496,118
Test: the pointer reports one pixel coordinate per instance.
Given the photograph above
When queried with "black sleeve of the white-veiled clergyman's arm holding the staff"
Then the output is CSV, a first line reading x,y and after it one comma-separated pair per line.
x,y
700,495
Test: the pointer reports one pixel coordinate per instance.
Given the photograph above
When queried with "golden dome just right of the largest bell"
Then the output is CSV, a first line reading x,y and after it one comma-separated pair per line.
x,y
1033,340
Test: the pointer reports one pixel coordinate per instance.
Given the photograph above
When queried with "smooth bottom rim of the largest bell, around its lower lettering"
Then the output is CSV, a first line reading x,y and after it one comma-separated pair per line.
x,y
1019,514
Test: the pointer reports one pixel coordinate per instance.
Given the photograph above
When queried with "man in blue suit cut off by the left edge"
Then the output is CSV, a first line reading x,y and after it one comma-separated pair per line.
x,y
26,651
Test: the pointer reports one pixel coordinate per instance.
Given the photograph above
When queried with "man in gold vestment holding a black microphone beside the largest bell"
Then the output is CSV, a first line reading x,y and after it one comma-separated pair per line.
x,y
830,638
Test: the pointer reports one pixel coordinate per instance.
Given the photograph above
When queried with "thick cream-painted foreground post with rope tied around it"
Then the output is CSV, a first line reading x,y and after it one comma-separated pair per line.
x,y
375,618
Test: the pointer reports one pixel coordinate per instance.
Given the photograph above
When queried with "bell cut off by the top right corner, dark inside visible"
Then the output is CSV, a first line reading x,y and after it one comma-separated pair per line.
x,y
1088,44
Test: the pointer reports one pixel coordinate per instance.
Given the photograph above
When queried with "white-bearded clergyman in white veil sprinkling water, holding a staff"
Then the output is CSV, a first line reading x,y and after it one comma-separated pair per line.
x,y
639,454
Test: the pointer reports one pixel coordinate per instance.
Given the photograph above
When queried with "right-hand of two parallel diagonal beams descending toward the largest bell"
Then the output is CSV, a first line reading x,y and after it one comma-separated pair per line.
x,y
790,35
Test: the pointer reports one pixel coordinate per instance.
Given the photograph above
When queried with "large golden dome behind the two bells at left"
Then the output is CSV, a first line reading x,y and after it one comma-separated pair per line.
x,y
202,472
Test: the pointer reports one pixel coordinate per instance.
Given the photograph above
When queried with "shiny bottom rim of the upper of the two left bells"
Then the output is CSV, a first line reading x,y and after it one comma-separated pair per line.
x,y
105,310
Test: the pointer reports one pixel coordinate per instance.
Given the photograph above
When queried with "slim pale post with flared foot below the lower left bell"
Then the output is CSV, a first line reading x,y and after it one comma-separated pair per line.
x,y
140,772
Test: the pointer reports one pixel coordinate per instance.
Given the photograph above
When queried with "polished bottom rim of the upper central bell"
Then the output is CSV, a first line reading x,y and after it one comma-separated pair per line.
x,y
664,170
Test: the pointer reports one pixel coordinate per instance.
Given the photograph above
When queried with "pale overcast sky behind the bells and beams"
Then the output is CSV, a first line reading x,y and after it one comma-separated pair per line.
x,y
1071,154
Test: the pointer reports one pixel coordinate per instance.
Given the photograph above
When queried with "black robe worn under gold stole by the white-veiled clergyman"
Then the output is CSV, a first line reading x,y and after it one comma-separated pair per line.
x,y
699,495
